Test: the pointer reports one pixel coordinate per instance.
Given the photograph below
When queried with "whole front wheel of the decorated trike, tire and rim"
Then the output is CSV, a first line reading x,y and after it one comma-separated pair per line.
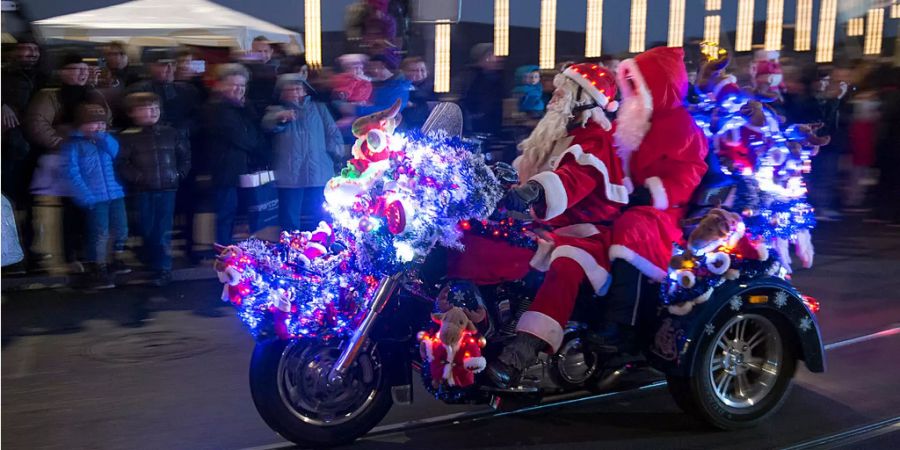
x,y
289,382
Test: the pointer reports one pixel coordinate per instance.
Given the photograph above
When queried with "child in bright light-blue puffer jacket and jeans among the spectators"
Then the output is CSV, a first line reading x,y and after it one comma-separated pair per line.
x,y
90,154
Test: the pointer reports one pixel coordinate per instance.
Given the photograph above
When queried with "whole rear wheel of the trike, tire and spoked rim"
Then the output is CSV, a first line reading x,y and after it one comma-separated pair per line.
x,y
743,374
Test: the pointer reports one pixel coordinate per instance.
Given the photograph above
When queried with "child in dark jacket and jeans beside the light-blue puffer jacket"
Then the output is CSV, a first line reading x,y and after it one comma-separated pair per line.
x,y
154,159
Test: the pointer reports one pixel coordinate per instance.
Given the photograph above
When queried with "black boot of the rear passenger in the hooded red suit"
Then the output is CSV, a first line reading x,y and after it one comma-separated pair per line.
x,y
622,309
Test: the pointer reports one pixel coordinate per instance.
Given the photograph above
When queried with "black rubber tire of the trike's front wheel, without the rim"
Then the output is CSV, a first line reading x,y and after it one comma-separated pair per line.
x,y
288,420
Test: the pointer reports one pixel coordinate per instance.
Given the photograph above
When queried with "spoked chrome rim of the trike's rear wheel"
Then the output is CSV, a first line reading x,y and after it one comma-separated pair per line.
x,y
746,361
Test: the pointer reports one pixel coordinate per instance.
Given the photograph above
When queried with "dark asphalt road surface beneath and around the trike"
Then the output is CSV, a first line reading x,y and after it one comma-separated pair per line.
x,y
145,368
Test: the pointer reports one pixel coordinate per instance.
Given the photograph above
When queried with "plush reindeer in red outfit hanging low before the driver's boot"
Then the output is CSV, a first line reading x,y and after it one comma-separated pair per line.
x,y
454,355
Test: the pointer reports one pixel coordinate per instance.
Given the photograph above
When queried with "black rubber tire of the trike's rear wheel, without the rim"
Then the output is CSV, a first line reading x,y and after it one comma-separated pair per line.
x,y
697,396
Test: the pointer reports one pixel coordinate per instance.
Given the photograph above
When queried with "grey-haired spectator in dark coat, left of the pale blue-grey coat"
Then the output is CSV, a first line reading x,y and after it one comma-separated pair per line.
x,y
235,144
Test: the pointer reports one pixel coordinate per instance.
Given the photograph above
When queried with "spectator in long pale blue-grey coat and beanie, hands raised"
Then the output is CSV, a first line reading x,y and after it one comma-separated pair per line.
x,y
307,146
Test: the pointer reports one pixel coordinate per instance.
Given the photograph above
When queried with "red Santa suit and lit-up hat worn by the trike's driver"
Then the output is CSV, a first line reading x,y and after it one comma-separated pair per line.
x,y
583,193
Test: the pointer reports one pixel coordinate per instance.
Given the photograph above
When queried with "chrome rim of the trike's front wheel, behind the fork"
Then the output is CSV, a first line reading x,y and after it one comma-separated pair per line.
x,y
307,390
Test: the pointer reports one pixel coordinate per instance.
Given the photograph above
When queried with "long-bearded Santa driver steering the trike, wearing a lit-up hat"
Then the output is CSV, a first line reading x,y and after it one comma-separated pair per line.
x,y
574,185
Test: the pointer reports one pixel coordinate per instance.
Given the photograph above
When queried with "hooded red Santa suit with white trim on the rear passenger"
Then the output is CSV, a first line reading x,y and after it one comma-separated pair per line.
x,y
669,161
